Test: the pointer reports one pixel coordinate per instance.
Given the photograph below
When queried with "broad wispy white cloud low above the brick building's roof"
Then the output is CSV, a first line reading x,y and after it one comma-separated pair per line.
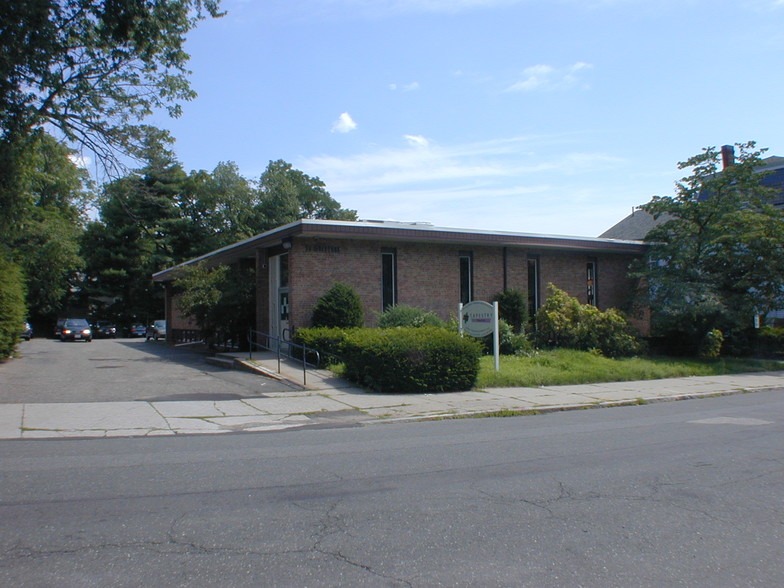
x,y
504,184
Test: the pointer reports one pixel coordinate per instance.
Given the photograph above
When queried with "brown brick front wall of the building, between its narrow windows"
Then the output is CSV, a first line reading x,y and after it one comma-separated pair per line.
x,y
428,274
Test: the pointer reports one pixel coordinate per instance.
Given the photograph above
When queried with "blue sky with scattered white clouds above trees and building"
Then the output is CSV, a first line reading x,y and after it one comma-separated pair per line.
x,y
536,116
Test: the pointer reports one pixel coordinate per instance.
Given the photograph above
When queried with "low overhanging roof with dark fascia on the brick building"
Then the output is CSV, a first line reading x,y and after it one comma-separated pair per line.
x,y
405,232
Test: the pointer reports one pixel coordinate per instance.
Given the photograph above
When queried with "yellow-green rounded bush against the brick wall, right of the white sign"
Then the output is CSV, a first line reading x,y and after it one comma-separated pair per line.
x,y
563,322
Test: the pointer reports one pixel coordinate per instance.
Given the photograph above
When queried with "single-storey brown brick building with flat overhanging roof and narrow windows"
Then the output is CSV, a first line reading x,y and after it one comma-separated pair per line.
x,y
415,264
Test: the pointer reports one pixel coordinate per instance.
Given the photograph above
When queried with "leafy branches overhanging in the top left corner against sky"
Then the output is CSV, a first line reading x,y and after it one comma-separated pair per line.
x,y
92,68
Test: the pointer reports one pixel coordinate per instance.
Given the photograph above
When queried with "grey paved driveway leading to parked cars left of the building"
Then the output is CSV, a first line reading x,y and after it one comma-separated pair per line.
x,y
111,370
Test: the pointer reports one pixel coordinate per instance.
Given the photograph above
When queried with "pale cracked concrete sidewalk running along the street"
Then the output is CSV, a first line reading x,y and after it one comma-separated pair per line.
x,y
330,401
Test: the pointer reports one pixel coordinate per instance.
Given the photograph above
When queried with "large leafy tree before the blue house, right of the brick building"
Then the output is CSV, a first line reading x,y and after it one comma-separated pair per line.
x,y
717,256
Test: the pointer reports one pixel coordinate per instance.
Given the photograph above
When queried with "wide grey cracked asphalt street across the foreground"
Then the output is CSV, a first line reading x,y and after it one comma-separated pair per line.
x,y
671,494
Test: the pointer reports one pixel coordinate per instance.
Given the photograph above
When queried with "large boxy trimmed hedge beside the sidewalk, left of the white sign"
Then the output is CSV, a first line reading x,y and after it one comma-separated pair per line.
x,y
411,359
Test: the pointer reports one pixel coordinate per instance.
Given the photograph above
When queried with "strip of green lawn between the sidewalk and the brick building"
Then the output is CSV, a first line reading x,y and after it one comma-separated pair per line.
x,y
566,366
